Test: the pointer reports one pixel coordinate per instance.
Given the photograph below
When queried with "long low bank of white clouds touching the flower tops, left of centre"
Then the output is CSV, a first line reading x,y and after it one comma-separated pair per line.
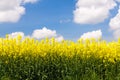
x,y
39,34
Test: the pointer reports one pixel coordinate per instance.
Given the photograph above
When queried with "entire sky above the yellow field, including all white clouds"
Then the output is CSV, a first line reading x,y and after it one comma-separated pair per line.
x,y
62,19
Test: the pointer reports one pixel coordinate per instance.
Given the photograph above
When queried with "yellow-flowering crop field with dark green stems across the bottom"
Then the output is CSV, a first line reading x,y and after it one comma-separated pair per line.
x,y
47,59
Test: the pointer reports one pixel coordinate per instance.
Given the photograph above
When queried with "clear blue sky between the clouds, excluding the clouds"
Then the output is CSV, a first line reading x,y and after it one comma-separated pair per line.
x,y
57,15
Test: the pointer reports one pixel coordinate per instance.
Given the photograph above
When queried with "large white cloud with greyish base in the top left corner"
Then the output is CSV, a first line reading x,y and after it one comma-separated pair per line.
x,y
12,10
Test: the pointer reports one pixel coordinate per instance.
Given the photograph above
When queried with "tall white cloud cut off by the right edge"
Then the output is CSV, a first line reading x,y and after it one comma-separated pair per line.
x,y
115,25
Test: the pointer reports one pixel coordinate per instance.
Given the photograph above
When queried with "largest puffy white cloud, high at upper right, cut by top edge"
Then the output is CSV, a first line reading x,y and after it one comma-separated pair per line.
x,y
92,12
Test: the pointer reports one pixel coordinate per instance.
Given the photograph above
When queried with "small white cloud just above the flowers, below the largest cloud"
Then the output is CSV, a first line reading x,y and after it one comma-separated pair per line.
x,y
94,34
